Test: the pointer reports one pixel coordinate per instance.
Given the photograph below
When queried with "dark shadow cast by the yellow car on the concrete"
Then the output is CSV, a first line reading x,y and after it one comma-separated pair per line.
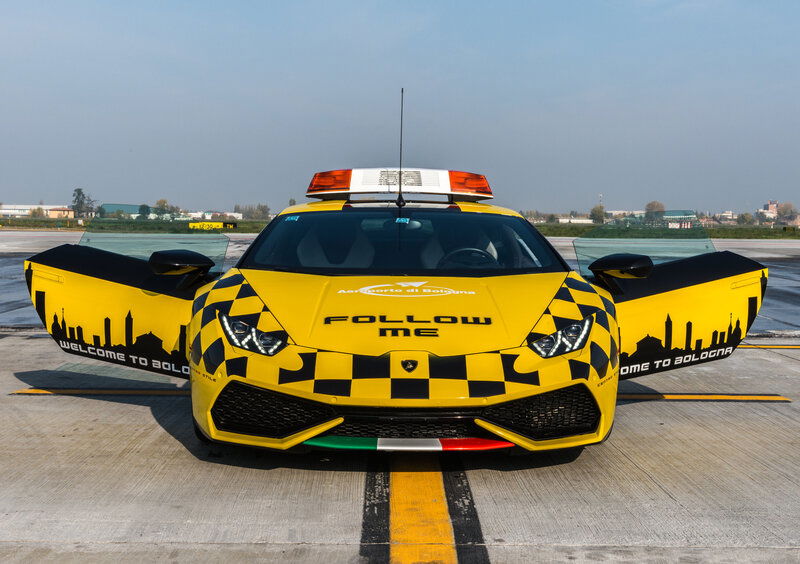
x,y
173,414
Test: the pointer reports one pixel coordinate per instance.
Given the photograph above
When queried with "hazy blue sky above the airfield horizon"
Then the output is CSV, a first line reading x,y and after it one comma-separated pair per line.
x,y
207,104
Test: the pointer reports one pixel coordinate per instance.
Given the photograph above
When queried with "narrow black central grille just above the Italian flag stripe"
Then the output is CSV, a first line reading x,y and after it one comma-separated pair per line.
x,y
407,428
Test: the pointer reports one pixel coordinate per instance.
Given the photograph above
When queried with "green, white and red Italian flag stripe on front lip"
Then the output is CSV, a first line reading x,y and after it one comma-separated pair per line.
x,y
365,443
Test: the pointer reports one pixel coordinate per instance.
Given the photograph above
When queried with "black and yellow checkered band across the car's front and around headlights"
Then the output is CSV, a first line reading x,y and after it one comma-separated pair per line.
x,y
358,379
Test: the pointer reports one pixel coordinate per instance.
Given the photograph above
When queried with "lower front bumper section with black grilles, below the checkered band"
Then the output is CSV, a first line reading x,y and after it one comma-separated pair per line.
x,y
567,416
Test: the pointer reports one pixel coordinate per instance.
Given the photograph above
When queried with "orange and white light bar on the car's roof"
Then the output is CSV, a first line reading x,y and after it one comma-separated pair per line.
x,y
454,184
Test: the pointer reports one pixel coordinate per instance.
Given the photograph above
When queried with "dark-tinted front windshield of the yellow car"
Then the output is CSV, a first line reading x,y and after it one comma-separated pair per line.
x,y
421,241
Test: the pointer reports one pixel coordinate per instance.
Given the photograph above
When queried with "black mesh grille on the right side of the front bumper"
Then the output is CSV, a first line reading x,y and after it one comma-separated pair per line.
x,y
552,415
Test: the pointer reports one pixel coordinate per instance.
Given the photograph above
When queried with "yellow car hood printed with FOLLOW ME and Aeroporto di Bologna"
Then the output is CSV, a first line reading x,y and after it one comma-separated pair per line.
x,y
372,315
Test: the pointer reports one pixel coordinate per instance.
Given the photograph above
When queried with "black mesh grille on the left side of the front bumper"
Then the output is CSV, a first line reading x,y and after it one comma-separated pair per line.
x,y
246,409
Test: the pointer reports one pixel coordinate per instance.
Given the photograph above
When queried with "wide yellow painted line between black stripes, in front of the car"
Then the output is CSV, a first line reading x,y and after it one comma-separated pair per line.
x,y
419,522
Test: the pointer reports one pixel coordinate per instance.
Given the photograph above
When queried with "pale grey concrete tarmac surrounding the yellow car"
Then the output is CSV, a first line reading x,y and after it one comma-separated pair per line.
x,y
95,477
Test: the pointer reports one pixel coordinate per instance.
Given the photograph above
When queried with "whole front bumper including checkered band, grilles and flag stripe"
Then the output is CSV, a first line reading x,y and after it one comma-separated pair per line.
x,y
341,400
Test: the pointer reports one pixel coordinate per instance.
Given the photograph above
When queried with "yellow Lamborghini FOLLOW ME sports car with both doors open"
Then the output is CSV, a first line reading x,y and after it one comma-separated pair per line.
x,y
398,312
